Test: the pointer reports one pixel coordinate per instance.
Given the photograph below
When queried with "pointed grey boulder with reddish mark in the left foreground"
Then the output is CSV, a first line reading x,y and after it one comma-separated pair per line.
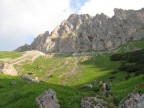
x,y
47,100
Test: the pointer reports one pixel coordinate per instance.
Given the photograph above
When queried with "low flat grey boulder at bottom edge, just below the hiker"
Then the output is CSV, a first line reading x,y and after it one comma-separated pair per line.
x,y
93,102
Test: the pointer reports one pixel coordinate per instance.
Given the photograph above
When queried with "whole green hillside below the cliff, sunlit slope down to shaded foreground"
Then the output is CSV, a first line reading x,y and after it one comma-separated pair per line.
x,y
67,72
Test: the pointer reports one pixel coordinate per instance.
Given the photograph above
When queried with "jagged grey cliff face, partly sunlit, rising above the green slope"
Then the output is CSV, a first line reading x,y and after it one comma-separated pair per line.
x,y
99,33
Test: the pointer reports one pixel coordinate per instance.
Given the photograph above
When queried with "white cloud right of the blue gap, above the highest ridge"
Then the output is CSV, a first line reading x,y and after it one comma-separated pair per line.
x,y
93,7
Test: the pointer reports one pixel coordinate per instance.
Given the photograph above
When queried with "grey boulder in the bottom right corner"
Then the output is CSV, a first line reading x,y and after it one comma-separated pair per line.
x,y
133,100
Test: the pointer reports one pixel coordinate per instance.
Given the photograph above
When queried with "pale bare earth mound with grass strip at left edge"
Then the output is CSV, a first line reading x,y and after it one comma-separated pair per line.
x,y
10,59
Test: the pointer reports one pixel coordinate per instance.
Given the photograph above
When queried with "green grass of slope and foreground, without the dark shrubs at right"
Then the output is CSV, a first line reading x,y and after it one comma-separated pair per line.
x,y
23,94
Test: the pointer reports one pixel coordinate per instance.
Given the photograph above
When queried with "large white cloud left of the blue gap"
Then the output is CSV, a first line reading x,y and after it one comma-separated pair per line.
x,y
23,18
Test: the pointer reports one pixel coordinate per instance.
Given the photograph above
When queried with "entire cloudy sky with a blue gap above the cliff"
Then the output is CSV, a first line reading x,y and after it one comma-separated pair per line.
x,y
22,20
